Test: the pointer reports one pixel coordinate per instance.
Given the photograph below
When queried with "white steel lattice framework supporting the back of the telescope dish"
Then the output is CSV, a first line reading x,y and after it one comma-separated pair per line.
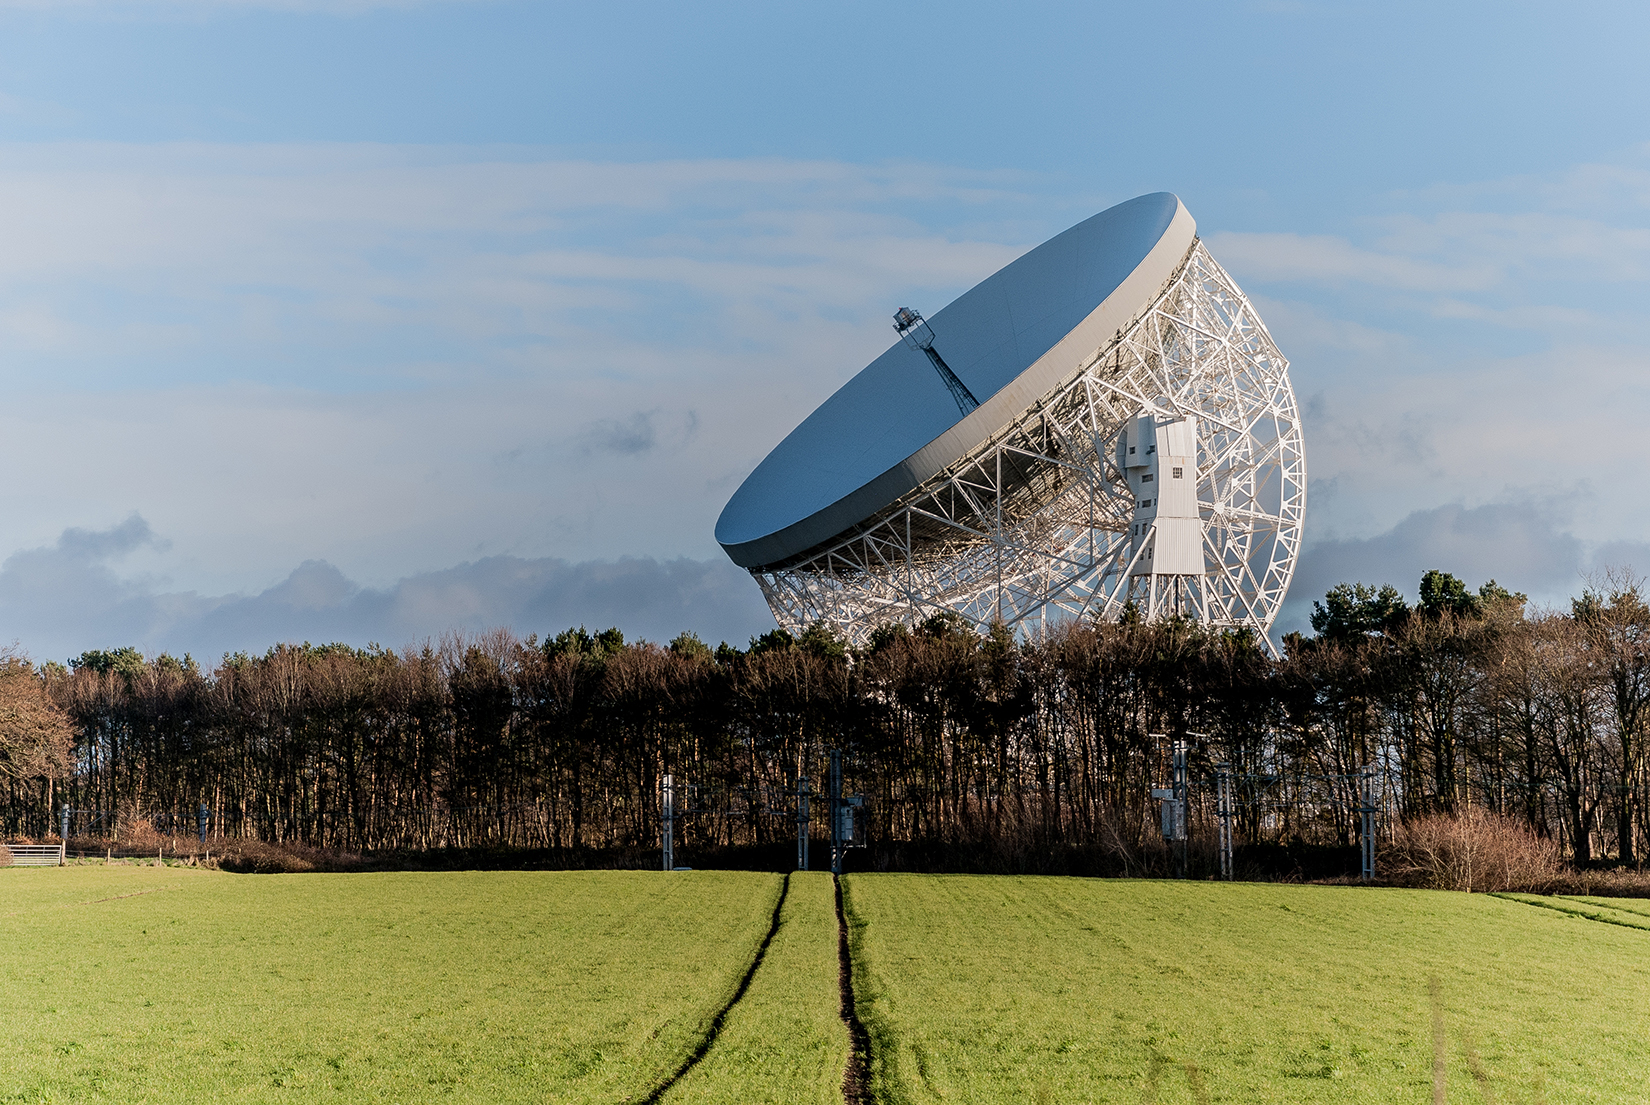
x,y
1034,525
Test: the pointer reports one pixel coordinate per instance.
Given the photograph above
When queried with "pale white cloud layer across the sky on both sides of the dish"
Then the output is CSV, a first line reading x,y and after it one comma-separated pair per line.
x,y
400,360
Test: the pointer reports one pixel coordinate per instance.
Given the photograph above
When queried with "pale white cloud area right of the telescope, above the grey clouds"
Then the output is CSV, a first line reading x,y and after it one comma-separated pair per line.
x,y
1474,346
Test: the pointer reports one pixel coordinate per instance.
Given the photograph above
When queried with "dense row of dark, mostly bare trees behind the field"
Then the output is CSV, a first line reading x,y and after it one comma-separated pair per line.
x,y
1466,700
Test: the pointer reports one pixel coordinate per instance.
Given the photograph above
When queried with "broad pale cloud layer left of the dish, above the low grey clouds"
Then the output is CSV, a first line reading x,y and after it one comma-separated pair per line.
x,y
397,360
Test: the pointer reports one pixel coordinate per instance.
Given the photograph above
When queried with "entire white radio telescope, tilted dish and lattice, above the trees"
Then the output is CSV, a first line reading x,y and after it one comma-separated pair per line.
x,y
1105,421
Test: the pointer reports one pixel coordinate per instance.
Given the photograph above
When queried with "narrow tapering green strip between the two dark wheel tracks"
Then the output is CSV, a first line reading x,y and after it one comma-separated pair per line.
x,y
785,1043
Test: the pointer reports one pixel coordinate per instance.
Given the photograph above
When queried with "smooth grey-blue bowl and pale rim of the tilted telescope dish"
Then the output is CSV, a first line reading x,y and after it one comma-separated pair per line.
x,y
1011,341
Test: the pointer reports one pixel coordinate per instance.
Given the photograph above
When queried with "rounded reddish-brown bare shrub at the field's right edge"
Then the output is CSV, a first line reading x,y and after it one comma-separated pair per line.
x,y
1474,850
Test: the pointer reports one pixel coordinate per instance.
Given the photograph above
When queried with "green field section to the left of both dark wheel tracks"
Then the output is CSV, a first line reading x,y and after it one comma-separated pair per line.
x,y
186,985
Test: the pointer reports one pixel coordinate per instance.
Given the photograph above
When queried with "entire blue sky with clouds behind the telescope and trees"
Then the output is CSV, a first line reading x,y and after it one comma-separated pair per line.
x,y
380,321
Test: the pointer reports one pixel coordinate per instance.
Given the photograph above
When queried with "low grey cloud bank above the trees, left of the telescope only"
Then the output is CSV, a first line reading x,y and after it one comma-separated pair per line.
x,y
65,600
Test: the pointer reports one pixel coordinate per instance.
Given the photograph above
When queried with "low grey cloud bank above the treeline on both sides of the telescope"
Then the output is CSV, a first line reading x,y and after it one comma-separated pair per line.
x,y
67,598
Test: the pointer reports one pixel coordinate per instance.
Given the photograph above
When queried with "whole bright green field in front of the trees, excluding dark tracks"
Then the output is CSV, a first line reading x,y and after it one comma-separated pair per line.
x,y
186,985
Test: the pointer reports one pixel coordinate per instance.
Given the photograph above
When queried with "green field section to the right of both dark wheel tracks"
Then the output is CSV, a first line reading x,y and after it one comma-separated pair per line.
x,y
1072,990
